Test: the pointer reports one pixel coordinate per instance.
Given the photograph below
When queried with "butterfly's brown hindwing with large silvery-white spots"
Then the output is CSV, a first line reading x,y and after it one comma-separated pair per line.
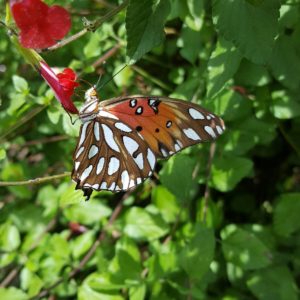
x,y
111,156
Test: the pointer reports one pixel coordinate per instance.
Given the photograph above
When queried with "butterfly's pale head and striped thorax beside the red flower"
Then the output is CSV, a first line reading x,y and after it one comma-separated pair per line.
x,y
89,109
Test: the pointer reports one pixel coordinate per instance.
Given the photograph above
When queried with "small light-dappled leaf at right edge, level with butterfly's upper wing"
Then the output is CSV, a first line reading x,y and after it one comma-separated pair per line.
x,y
285,105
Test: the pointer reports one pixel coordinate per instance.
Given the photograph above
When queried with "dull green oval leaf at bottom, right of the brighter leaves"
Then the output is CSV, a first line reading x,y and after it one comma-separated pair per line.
x,y
198,253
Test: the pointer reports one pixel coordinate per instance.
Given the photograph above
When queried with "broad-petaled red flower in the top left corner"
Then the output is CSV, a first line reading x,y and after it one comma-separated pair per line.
x,y
40,25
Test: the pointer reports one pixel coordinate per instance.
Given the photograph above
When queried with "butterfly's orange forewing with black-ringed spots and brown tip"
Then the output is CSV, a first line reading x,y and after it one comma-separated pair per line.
x,y
168,125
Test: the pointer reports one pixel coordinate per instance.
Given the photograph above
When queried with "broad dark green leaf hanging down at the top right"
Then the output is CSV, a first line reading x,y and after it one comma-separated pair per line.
x,y
251,28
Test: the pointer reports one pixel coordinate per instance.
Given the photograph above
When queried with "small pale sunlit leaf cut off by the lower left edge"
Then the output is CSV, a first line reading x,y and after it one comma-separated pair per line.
x,y
9,237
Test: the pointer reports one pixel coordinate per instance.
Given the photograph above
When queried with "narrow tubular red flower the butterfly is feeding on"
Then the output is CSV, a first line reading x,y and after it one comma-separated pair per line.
x,y
63,85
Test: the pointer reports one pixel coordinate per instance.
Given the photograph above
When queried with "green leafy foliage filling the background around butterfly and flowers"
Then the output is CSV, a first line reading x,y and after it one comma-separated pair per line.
x,y
166,240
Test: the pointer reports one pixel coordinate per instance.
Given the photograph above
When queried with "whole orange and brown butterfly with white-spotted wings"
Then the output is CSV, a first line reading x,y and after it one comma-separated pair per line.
x,y
121,138
